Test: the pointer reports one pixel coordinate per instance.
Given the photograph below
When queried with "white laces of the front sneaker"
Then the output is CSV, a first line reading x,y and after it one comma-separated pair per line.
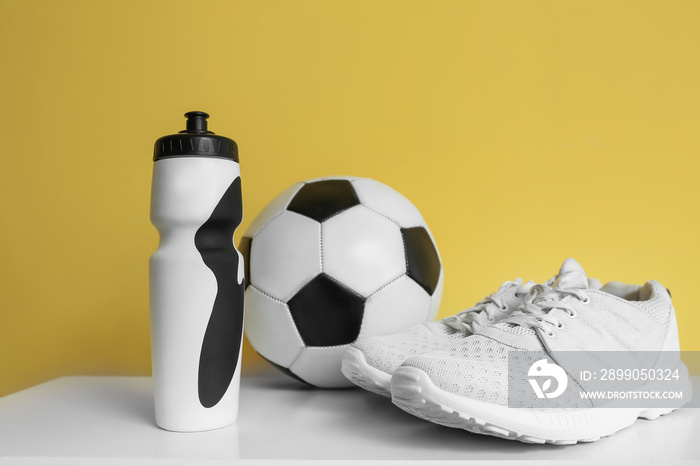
x,y
543,300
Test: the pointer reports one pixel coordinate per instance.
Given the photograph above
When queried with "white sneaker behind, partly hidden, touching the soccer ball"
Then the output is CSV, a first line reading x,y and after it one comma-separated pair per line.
x,y
370,361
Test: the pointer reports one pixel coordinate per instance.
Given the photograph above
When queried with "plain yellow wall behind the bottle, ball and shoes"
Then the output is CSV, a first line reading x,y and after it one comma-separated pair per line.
x,y
526,132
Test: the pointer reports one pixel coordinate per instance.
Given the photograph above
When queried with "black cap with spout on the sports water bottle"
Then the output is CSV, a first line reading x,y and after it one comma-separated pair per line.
x,y
195,141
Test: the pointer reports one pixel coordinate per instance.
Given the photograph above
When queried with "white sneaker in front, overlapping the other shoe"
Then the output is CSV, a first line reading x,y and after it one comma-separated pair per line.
x,y
467,385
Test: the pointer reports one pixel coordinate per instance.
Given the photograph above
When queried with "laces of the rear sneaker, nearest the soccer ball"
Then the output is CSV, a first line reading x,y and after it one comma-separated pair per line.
x,y
486,311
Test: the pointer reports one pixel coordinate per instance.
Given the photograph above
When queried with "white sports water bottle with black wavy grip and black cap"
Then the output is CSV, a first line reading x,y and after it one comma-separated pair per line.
x,y
196,279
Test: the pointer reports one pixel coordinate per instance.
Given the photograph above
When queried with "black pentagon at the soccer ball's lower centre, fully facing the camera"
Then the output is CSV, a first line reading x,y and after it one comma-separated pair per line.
x,y
327,313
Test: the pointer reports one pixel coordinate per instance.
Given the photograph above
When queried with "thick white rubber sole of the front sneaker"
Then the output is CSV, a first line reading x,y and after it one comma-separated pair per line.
x,y
414,392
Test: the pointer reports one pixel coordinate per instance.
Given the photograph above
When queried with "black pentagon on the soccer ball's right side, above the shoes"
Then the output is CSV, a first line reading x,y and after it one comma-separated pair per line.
x,y
422,260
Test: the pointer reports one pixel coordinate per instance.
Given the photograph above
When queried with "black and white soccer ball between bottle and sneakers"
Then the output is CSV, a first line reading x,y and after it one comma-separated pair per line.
x,y
331,260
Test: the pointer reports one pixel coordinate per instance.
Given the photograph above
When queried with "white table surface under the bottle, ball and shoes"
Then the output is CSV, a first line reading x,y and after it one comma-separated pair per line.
x,y
110,420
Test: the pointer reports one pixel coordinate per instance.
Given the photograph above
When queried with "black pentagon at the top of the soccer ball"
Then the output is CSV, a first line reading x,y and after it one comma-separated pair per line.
x,y
320,200
